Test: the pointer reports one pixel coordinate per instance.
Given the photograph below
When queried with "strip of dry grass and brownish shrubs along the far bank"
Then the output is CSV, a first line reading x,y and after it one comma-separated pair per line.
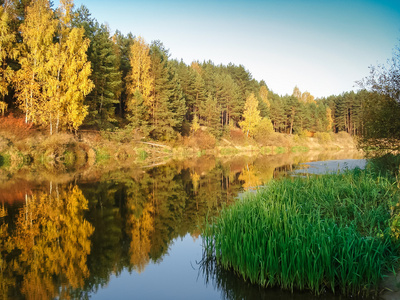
x,y
21,144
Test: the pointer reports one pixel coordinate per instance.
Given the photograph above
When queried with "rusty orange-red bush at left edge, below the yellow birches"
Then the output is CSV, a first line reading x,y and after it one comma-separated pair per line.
x,y
15,127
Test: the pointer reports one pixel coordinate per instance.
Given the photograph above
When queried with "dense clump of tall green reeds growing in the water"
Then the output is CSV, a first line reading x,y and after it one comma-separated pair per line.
x,y
327,232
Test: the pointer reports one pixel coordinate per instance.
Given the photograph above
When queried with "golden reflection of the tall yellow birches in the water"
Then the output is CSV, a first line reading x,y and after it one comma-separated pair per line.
x,y
52,239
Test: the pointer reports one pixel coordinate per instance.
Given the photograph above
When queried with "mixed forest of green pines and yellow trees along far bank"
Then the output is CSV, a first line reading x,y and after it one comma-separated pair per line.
x,y
63,71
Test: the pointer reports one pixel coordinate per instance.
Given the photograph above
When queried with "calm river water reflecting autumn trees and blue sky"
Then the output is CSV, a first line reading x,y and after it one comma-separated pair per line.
x,y
128,233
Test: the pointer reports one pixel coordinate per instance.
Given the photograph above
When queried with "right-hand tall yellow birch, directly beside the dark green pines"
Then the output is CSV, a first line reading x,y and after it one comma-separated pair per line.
x,y
69,74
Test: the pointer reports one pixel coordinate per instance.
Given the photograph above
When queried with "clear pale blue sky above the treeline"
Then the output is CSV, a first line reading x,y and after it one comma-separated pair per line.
x,y
322,46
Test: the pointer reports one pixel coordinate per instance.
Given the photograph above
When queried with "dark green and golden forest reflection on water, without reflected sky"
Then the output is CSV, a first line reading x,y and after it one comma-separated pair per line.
x,y
67,240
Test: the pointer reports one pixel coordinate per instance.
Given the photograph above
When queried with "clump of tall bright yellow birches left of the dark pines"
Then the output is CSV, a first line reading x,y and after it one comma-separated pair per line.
x,y
54,76
